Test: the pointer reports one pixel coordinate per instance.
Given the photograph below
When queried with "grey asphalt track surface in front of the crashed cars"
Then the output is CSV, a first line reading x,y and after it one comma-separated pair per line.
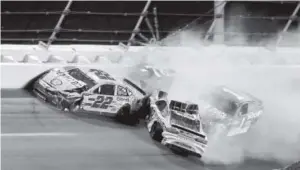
x,y
36,136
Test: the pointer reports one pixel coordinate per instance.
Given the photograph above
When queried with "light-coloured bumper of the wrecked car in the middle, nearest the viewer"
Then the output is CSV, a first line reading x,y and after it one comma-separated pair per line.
x,y
183,142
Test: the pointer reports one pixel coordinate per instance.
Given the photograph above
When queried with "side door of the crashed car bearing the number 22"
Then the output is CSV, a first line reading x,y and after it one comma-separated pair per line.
x,y
100,99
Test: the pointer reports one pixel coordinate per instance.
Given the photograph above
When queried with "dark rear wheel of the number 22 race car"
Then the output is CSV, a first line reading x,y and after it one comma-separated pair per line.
x,y
125,116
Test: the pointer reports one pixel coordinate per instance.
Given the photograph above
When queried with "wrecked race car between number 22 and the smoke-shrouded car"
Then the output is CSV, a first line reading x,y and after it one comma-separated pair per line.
x,y
175,124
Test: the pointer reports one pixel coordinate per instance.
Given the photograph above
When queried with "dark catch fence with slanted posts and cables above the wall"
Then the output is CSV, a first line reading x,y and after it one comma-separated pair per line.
x,y
151,22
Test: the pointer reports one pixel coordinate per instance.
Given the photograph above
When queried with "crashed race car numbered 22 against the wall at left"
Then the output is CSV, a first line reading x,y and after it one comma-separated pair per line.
x,y
92,90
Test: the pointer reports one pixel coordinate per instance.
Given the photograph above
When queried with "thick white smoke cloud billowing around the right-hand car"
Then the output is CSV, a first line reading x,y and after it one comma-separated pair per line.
x,y
272,75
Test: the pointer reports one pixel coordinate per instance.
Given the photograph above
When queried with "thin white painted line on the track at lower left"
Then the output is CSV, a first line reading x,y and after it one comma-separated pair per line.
x,y
60,134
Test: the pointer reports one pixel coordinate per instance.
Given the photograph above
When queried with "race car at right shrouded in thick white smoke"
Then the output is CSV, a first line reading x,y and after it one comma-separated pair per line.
x,y
229,112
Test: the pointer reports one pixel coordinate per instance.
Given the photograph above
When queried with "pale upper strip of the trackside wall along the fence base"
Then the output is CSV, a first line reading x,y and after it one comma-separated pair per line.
x,y
257,55
